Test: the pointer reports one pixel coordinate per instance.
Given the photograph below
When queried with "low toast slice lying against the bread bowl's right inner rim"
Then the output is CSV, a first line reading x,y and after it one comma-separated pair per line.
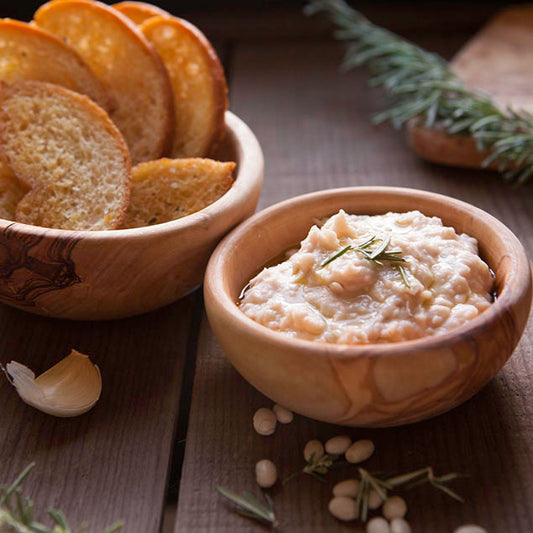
x,y
168,189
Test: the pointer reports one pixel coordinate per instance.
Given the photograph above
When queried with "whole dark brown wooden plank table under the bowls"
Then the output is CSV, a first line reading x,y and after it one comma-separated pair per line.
x,y
174,420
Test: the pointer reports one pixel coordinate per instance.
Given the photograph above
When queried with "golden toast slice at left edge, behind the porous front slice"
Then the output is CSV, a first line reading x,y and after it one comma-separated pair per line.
x,y
29,53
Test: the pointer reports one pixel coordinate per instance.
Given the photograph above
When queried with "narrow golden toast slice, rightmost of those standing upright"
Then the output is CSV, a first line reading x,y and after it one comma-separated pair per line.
x,y
198,83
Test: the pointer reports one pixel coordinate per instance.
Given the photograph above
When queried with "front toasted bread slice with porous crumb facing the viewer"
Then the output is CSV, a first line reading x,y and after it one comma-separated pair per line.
x,y
68,151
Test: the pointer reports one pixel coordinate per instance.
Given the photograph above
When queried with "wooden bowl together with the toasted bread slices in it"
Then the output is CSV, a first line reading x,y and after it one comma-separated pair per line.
x,y
121,166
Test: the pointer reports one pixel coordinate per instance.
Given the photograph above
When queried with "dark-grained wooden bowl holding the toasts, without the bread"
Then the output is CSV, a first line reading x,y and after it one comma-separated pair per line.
x,y
96,275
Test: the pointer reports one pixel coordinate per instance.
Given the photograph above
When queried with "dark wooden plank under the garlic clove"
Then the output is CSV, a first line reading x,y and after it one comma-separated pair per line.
x,y
111,463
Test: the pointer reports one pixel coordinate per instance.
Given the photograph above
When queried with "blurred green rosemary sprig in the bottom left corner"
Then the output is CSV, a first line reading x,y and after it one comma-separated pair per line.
x,y
16,512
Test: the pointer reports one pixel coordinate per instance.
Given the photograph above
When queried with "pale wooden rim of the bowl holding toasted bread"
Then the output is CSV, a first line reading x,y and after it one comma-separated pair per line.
x,y
250,165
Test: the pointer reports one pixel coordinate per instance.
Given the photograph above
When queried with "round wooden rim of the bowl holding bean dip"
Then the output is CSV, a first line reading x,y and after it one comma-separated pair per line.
x,y
505,301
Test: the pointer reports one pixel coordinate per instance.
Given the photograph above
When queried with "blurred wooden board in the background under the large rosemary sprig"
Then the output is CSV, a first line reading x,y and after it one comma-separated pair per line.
x,y
498,60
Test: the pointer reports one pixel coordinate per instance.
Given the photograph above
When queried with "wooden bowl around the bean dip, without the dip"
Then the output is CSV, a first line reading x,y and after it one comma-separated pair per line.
x,y
366,385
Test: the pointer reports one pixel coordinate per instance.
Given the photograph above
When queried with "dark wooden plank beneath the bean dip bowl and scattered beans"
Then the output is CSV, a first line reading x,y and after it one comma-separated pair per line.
x,y
313,124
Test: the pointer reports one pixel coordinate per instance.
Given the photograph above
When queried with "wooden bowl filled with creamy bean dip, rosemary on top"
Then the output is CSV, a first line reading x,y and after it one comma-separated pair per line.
x,y
369,306
